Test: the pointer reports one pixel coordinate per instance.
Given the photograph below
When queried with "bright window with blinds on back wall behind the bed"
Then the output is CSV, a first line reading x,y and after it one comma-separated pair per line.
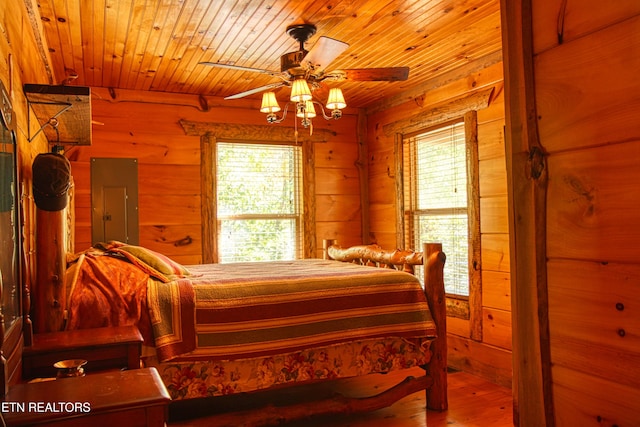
x,y
258,188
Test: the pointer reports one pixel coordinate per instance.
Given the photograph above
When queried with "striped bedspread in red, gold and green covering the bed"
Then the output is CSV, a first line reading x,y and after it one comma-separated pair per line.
x,y
231,311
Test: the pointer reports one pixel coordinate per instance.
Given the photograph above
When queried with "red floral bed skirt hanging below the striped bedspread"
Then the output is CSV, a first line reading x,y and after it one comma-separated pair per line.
x,y
191,379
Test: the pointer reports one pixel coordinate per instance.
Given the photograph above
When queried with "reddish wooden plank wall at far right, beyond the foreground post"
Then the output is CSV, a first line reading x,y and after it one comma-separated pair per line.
x,y
586,64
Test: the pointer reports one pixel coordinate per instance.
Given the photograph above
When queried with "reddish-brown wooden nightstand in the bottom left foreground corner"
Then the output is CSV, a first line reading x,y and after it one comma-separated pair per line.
x,y
135,398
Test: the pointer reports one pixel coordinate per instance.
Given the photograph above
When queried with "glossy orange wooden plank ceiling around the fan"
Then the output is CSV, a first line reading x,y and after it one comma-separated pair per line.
x,y
157,45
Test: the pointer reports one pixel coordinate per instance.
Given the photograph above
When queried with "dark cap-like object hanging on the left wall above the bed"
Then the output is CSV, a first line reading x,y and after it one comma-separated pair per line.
x,y
51,181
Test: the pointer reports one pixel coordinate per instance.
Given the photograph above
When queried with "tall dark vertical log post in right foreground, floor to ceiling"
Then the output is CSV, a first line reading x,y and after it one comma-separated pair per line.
x,y
527,175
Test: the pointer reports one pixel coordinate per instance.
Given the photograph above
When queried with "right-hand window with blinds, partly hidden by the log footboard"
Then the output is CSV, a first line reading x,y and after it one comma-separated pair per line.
x,y
435,199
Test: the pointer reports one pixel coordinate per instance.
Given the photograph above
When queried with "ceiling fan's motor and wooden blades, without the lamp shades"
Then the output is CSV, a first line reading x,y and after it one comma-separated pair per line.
x,y
311,65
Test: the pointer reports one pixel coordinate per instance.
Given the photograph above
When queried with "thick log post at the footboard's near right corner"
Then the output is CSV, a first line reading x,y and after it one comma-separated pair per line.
x,y
434,260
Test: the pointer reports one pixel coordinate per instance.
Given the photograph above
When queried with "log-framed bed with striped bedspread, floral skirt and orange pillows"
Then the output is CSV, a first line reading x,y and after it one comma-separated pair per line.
x,y
226,329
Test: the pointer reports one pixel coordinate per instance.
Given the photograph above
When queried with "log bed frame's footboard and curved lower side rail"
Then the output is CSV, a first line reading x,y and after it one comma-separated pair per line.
x,y
434,382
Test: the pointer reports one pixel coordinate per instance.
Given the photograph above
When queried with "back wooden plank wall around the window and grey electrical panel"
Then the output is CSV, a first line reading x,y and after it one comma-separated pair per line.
x,y
146,126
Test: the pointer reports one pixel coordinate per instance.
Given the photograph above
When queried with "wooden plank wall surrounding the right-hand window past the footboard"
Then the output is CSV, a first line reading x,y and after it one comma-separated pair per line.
x,y
490,356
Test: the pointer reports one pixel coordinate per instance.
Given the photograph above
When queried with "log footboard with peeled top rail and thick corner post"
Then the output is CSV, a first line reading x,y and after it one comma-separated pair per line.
x,y
433,260
